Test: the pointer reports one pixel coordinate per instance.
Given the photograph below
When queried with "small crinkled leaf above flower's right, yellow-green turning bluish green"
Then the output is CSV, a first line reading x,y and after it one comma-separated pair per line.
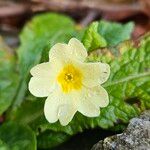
x,y
106,34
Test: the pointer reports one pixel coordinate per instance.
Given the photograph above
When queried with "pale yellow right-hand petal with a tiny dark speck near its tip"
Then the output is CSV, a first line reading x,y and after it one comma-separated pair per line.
x,y
95,73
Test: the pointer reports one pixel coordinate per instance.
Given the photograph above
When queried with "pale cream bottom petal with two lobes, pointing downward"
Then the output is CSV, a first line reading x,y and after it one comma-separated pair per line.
x,y
59,106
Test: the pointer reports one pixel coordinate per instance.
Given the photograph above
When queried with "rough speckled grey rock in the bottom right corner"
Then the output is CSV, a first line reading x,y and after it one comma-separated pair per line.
x,y
135,137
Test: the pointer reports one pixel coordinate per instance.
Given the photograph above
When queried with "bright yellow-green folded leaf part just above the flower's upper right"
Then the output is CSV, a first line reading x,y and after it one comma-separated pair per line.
x,y
92,39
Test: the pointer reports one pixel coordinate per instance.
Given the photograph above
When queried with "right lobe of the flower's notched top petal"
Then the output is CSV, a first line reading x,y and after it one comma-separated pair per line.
x,y
78,49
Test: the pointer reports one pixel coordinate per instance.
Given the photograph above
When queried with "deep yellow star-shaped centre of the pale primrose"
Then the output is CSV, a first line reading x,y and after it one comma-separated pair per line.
x,y
70,78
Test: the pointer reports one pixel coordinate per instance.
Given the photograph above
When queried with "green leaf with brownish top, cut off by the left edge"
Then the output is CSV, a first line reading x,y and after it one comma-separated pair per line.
x,y
8,76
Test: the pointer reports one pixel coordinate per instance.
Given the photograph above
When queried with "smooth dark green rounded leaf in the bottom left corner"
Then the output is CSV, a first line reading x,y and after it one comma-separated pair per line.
x,y
15,137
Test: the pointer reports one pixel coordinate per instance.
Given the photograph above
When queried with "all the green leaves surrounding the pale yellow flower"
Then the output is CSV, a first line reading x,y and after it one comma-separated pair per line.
x,y
128,85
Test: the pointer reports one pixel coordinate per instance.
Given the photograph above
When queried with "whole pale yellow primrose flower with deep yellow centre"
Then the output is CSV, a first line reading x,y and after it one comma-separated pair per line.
x,y
69,83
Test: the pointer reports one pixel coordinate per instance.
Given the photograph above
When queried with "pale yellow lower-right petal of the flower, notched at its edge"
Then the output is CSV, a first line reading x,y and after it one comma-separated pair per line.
x,y
90,99
